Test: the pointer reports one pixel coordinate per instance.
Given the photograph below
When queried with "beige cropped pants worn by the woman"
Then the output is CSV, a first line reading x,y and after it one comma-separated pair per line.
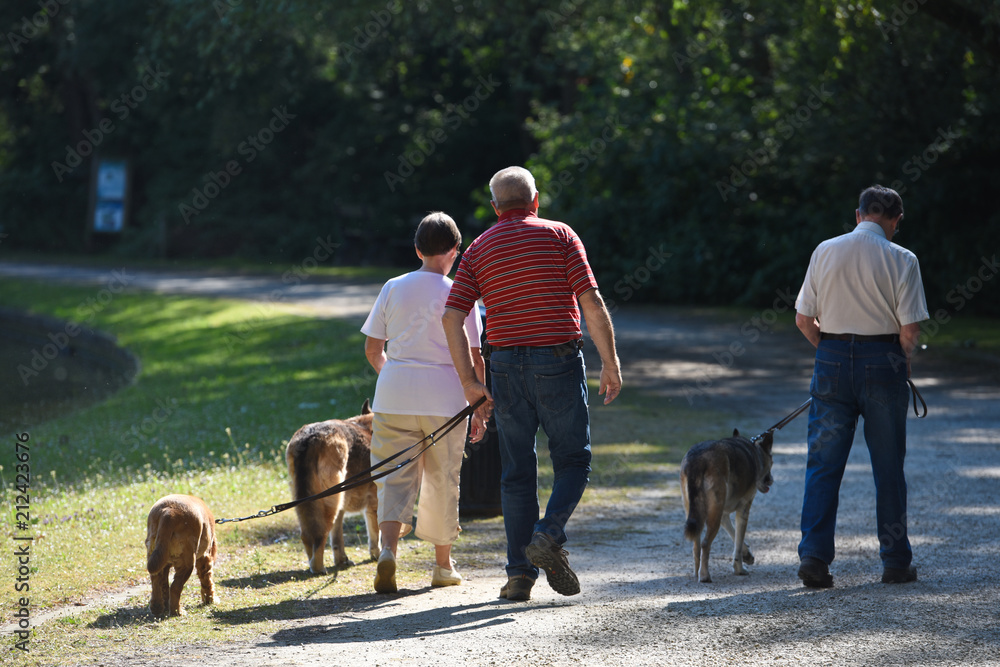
x,y
435,475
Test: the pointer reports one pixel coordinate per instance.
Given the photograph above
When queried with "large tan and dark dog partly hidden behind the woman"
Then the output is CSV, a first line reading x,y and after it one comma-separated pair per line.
x,y
319,456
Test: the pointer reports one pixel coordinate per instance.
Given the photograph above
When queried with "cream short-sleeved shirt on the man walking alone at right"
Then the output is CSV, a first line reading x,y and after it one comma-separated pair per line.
x,y
862,283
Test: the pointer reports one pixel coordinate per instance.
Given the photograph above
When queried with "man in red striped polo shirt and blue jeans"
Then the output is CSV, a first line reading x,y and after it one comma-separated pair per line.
x,y
533,277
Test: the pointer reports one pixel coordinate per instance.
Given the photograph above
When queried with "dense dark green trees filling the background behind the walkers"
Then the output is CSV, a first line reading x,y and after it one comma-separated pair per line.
x,y
701,149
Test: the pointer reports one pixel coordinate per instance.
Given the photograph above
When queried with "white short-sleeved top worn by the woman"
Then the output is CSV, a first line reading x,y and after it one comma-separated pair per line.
x,y
418,378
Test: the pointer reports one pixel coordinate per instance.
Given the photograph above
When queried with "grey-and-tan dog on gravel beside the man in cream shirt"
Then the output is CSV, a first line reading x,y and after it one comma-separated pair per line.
x,y
719,477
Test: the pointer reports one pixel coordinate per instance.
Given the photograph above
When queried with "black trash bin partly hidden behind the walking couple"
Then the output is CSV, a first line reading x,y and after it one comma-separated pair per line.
x,y
479,491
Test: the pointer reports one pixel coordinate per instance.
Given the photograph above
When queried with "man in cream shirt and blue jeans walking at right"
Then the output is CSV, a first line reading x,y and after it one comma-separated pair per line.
x,y
860,305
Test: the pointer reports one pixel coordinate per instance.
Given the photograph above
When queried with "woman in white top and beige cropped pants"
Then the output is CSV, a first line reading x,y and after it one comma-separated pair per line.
x,y
417,391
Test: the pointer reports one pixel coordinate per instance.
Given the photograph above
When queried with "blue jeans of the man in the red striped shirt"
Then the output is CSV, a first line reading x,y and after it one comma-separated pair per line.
x,y
532,386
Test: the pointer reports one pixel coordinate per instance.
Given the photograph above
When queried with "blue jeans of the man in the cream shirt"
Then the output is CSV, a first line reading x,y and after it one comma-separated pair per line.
x,y
851,380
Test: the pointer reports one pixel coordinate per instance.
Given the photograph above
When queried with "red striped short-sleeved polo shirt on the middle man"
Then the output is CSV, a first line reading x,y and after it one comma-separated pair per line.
x,y
529,273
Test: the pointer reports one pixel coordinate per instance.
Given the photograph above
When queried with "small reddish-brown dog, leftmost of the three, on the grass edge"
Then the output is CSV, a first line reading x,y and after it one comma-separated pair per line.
x,y
180,534
